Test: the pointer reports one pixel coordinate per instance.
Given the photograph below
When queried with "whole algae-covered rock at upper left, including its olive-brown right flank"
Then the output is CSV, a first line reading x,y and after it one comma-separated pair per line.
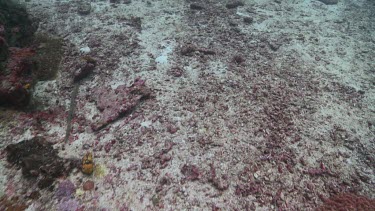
x,y
24,57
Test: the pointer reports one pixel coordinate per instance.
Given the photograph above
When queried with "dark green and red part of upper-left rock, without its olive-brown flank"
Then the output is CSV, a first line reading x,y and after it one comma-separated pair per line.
x,y
16,30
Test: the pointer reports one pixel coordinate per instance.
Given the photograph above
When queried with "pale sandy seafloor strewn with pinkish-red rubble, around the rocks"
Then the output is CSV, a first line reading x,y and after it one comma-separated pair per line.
x,y
245,113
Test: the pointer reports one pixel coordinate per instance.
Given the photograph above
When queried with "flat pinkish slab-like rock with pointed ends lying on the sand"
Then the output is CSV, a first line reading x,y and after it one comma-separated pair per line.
x,y
119,102
